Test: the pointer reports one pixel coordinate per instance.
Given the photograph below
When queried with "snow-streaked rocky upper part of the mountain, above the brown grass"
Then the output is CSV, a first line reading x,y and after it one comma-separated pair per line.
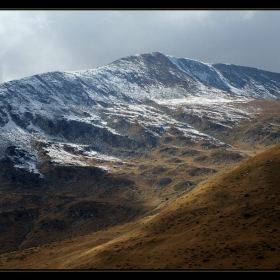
x,y
128,105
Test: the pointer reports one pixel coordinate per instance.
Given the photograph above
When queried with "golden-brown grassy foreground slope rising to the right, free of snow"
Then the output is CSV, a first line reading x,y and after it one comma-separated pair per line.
x,y
231,222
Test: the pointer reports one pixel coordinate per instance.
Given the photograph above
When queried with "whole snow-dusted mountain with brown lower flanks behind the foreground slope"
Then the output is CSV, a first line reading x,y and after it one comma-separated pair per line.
x,y
85,151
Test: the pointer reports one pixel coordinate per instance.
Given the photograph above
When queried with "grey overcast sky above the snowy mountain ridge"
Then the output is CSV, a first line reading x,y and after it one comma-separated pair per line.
x,y
38,41
